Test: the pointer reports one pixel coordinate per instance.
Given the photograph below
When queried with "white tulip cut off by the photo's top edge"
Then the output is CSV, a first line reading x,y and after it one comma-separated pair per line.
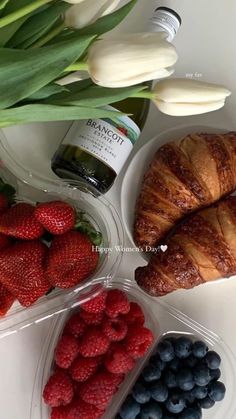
x,y
86,12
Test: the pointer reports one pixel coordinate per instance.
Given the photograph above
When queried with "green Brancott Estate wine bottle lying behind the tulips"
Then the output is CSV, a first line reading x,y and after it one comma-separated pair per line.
x,y
95,151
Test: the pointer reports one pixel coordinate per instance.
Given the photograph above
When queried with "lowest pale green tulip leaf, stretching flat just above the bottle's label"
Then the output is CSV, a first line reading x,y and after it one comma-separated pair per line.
x,y
44,113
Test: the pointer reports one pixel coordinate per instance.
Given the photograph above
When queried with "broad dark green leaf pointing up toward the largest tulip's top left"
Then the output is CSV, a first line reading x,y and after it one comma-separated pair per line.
x,y
23,73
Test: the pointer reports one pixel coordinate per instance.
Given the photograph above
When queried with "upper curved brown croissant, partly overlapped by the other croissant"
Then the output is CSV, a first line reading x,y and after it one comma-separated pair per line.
x,y
184,176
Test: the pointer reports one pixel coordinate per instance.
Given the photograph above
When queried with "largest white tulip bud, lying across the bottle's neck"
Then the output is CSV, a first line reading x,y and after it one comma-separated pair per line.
x,y
130,59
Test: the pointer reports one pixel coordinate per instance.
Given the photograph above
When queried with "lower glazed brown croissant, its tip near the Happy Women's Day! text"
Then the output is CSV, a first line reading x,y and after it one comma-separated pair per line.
x,y
202,249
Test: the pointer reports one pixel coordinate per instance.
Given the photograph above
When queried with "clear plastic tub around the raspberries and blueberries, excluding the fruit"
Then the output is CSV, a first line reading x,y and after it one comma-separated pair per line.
x,y
163,320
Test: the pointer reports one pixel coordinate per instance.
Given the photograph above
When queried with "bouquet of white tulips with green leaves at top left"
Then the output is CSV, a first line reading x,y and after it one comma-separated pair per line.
x,y
43,43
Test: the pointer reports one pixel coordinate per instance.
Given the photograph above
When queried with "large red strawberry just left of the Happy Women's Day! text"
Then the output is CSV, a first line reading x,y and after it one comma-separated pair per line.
x,y
71,259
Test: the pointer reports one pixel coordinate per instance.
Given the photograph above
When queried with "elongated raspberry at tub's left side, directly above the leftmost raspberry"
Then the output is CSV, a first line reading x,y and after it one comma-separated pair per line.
x,y
66,351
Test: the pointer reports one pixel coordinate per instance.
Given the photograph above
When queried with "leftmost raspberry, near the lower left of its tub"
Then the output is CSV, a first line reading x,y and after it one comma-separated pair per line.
x,y
58,390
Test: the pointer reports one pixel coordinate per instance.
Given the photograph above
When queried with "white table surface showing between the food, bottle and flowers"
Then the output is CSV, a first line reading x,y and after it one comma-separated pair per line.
x,y
206,49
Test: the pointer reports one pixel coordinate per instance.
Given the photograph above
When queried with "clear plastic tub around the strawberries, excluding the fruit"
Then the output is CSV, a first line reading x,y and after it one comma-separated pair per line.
x,y
105,219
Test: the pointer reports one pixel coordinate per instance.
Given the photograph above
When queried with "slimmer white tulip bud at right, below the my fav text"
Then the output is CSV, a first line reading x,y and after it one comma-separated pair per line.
x,y
182,97
